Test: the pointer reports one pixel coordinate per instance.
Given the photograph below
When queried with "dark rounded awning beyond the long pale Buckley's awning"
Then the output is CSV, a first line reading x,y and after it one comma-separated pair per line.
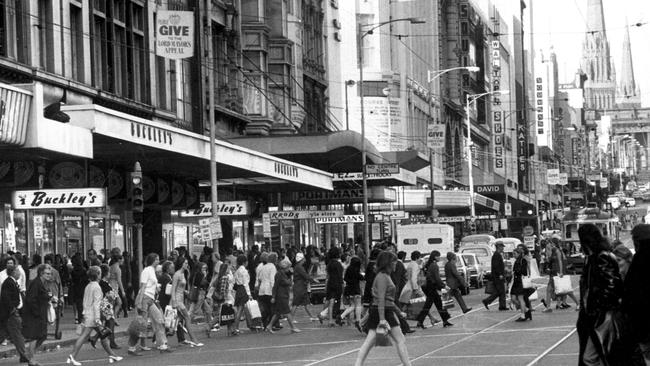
x,y
332,152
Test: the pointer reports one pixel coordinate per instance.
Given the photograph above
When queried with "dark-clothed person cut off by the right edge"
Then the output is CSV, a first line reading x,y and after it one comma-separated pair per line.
x,y
636,293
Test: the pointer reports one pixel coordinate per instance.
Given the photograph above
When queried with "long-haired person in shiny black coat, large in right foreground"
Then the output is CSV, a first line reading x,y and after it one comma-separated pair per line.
x,y
600,292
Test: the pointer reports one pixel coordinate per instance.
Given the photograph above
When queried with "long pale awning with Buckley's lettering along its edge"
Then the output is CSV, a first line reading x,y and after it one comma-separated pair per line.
x,y
123,138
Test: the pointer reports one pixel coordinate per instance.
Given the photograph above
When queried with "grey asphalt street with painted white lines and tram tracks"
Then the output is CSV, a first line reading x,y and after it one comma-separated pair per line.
x,y
480,337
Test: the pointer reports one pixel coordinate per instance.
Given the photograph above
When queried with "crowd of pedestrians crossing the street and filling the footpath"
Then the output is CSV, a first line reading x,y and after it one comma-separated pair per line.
x,y
613,323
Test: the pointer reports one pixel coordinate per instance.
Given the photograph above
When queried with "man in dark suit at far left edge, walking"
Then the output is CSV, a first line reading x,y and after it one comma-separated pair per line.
x,y
10,321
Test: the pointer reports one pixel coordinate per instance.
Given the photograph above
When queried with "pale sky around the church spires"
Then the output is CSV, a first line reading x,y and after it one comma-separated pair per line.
x,y
562,24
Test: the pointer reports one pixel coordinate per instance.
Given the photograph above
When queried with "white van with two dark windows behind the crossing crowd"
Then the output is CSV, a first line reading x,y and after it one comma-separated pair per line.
x,y
425,238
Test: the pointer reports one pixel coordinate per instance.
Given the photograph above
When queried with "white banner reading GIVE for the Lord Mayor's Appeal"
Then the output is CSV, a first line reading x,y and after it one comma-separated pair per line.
x,y
174,34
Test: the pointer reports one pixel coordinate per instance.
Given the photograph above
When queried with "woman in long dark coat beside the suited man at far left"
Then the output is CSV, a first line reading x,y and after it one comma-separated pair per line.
x,y
37,303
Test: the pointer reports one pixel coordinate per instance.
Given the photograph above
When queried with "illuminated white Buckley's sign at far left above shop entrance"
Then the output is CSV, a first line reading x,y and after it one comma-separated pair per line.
x,y
59,198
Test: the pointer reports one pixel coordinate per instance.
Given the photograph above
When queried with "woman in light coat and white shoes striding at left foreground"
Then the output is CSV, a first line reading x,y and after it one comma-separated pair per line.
x,y
92,318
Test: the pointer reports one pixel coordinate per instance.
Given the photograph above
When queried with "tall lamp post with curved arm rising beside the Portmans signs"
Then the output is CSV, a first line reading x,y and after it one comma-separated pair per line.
x,y
360,36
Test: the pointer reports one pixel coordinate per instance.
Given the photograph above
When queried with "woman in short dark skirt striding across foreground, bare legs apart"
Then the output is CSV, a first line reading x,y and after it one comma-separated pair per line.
x,y
382,311
